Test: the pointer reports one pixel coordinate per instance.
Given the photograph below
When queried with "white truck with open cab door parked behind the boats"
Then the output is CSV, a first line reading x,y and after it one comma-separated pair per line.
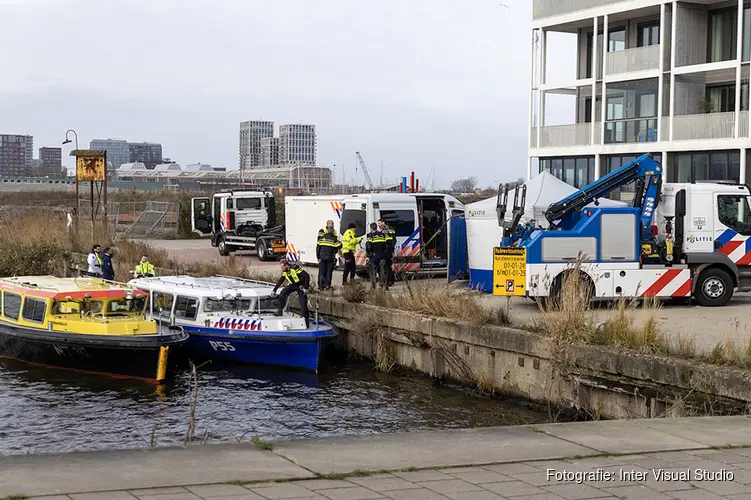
x,y
238,219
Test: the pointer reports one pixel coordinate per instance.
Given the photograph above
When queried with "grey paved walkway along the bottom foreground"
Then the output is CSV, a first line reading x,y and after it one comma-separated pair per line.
x,y
644,459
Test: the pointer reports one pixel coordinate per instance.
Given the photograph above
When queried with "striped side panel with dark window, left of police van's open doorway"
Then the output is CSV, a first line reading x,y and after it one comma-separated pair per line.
x,y
403,219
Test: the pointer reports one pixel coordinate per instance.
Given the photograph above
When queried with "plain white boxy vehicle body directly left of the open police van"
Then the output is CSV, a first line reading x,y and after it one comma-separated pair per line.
x,y
303,217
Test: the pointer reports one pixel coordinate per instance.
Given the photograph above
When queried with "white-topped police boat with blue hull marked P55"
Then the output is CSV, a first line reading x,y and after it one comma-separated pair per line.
x,y
235,320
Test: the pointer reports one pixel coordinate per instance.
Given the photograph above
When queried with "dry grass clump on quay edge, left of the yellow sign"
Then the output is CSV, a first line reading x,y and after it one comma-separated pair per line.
x,y
442,301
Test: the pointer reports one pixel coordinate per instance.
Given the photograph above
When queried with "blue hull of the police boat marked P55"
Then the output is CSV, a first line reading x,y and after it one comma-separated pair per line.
x,y
288,349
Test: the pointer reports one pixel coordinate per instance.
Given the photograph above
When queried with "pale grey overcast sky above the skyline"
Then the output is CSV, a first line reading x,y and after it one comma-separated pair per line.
x,y
411,83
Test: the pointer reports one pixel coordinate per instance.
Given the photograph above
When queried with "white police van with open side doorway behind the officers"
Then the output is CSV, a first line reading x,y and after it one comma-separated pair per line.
x,y
420,221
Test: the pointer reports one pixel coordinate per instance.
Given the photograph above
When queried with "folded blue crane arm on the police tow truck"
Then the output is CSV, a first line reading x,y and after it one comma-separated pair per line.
x,y
644,170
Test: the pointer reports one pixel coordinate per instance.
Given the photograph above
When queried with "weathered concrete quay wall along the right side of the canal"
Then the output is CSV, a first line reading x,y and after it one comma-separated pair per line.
x,y
596,380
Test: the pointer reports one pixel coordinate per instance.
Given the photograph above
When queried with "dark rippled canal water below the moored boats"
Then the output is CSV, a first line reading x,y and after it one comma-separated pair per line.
x,y
47,410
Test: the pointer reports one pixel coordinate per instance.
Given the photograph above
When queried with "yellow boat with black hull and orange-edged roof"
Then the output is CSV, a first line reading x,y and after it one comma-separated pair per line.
x,y
84,324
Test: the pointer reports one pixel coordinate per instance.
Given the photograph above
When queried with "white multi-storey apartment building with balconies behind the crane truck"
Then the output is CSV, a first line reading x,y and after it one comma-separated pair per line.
x,y
674,80
